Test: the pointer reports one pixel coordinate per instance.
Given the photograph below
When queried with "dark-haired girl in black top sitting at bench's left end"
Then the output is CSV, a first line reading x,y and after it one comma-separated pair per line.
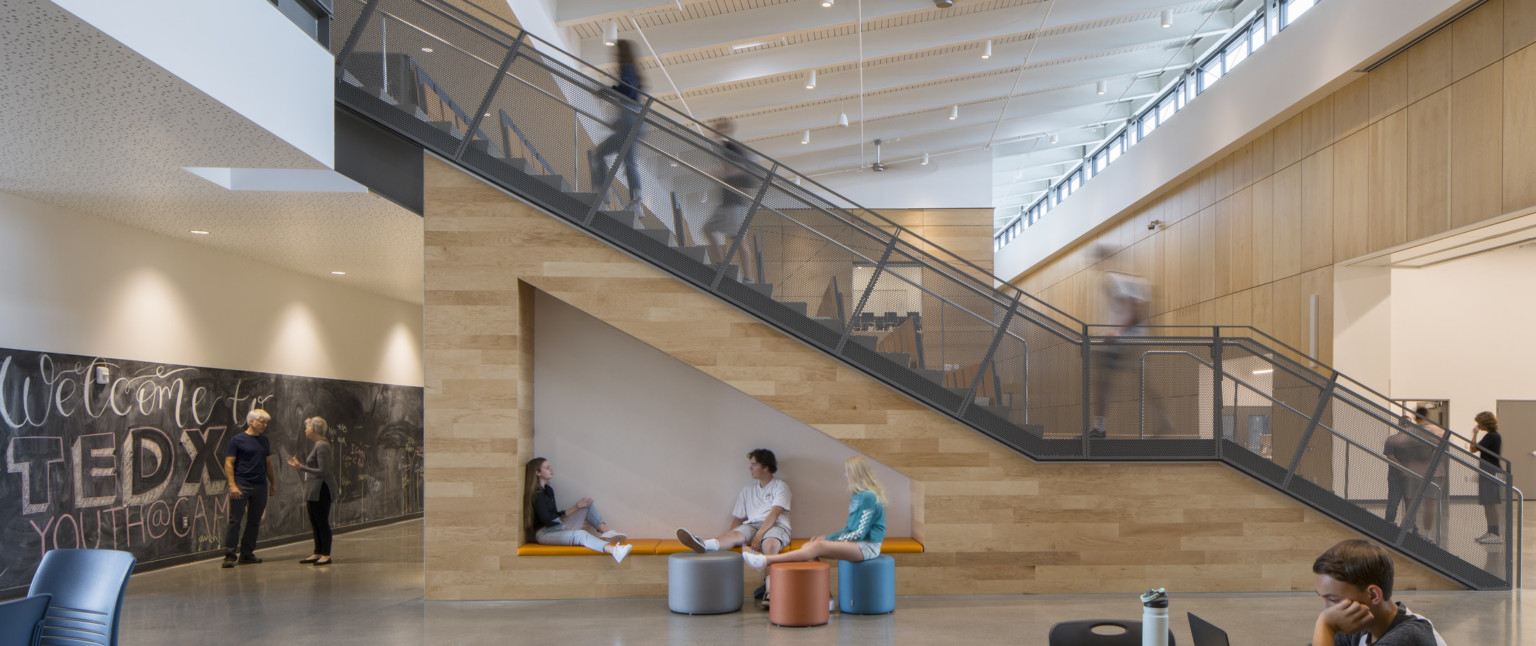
x,y
580,526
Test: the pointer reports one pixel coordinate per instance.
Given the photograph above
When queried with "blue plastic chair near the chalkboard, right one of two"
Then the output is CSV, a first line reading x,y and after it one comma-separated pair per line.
x,y
88,590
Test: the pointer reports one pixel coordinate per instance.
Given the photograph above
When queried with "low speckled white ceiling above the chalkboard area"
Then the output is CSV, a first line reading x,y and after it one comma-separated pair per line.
x,y
96,128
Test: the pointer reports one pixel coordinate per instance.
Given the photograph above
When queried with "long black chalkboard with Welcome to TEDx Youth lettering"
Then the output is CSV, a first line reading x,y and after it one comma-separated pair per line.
x,y
128,455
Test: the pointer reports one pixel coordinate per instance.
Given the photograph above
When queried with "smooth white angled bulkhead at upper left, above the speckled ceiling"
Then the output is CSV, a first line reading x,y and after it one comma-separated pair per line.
x,y
243,53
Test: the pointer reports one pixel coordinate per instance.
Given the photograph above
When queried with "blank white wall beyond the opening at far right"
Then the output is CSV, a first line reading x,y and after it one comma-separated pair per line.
x,y
1462,332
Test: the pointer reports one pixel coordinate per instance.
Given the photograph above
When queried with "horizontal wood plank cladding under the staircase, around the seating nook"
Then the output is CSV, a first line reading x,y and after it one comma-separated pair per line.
x,y
991,521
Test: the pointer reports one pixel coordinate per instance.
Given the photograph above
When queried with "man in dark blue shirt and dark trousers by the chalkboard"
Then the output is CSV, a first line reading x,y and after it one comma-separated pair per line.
x,y
248,467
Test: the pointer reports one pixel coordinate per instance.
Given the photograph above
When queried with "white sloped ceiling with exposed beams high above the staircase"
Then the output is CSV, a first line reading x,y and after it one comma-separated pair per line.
x,y
912,65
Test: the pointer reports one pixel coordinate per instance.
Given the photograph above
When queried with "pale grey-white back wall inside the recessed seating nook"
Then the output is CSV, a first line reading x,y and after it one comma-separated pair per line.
x,y
660,444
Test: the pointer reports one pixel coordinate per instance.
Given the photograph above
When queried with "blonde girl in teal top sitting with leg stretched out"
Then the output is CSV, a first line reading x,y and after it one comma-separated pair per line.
x,y
858,541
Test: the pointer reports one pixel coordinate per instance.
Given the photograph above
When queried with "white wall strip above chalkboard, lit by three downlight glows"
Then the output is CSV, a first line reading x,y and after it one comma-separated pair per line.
x,y
78,285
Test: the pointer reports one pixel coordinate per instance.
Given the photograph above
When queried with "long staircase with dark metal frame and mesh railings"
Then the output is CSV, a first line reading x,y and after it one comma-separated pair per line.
x,y
521,114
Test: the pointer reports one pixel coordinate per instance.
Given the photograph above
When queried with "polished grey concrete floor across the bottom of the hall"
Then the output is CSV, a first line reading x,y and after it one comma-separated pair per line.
x,y
374,596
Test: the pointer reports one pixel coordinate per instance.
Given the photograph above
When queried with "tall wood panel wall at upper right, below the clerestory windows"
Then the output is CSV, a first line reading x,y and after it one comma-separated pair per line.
x,y
1435,139
